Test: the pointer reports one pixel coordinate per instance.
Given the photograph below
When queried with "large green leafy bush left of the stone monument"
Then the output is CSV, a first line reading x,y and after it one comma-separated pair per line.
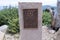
x,y
9,16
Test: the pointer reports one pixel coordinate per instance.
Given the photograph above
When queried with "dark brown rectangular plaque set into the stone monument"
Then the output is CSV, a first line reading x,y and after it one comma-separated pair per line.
x,y
30,17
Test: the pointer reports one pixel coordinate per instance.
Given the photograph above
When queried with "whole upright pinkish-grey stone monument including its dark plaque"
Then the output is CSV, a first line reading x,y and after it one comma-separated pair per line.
x,y
30,19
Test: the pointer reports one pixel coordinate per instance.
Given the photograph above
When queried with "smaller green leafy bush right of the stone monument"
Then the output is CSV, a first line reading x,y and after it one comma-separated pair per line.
x,y
46,19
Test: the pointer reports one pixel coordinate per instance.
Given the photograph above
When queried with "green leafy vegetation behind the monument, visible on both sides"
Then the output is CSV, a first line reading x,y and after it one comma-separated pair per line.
x,y
9,16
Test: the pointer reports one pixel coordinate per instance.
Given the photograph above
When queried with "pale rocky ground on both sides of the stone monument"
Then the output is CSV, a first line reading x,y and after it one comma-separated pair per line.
x,y
47,34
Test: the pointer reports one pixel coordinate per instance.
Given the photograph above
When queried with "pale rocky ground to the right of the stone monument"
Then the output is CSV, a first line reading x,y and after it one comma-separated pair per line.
x,y
48,33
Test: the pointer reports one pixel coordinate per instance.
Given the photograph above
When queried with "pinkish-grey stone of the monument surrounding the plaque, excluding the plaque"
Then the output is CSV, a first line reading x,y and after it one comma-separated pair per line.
x,y
30,33
